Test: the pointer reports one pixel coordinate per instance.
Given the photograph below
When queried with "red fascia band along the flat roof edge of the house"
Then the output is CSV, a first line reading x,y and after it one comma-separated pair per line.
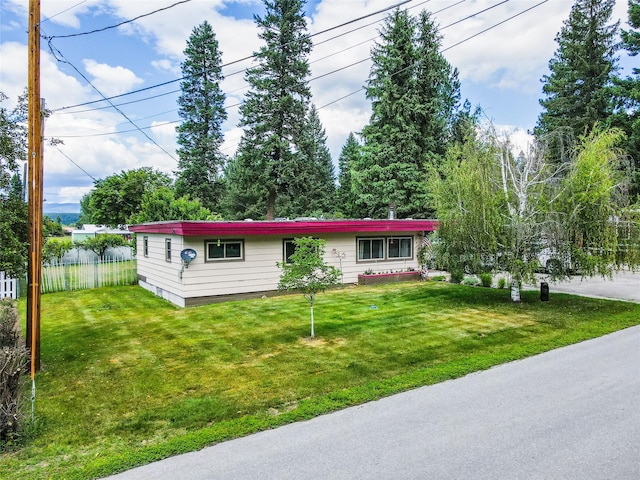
x,y
287,227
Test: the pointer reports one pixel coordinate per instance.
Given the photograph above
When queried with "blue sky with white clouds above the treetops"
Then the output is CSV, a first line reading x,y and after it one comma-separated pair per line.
x,y
500,71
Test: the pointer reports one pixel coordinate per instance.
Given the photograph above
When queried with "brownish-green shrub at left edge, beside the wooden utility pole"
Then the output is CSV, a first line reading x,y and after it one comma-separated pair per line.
x,y
13,362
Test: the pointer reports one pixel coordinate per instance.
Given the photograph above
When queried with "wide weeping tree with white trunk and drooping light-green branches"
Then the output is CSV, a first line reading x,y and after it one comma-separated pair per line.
x,y
502,212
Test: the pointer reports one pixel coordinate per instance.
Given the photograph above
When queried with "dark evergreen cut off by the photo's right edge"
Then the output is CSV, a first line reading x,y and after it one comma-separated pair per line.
x,y
627,93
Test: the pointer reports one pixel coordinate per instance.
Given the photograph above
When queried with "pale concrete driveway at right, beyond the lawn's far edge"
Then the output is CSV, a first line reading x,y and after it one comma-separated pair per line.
x,y
623,286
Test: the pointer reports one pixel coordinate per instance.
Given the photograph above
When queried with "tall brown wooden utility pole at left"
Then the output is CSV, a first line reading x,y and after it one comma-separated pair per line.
x,y
35,188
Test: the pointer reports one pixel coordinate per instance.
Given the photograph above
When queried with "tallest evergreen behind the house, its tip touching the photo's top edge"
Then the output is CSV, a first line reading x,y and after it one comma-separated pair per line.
x,y
273,113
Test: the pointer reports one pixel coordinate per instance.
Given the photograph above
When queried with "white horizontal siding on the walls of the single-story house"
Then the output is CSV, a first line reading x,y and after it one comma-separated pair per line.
x,y
256,273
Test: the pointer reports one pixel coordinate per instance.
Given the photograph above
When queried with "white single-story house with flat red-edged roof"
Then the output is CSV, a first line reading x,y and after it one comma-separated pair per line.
x,y
197,262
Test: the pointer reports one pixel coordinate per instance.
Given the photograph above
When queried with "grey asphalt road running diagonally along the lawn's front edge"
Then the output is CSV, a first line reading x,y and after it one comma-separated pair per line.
x,y
572,413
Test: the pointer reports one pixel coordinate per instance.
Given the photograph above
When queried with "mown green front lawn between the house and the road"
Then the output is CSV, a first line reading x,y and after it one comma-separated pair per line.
x,y
128,378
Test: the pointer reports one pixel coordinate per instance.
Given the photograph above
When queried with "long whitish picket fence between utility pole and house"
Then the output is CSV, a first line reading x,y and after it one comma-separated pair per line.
x,y
61,277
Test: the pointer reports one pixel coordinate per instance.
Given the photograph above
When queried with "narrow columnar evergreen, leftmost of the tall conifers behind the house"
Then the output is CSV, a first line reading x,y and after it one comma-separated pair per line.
x,y
202,111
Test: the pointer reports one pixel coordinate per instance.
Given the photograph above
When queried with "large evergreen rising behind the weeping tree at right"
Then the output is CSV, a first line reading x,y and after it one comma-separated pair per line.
x,y
576,93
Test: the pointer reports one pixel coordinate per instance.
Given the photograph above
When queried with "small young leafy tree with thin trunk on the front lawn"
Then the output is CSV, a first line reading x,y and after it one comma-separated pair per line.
x,y
308,273
